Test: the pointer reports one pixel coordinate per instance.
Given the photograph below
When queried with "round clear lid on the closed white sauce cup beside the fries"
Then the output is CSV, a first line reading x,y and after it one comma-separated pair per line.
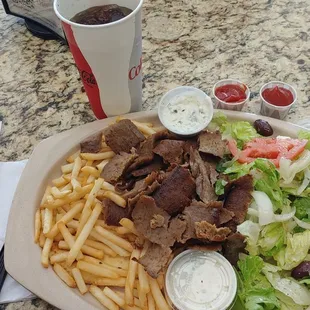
x,y
197,280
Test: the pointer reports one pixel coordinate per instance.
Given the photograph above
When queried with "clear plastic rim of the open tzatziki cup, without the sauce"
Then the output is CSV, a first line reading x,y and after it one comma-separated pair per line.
x,y
161,105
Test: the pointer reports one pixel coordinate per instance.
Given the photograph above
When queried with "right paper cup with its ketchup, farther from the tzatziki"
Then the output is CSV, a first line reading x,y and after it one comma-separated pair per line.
x,y
277,98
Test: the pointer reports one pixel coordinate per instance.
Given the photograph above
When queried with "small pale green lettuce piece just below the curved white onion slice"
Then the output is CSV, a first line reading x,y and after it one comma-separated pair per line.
x,y
272,239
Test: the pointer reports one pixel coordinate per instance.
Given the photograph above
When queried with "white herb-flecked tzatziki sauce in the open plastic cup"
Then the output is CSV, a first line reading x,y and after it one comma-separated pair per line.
x,y
187,112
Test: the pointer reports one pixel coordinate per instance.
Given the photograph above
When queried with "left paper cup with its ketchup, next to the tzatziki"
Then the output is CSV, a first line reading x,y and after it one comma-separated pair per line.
x,y
230,94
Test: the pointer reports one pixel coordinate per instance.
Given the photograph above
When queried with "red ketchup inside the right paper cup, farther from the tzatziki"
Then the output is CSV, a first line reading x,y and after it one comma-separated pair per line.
x,y
278,96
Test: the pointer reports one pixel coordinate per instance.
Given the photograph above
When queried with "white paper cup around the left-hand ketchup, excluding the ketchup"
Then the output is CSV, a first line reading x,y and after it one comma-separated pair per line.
x,y
220,104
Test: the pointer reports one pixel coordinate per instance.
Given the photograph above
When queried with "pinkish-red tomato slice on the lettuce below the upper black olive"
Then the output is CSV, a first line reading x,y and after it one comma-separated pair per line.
x,y
269,148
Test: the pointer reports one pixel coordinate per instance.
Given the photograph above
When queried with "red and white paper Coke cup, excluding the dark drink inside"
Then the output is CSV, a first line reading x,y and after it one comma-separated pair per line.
x,y
108,57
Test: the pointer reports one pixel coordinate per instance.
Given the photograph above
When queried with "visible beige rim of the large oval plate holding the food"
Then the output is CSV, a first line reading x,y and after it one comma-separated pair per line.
x,y
22,255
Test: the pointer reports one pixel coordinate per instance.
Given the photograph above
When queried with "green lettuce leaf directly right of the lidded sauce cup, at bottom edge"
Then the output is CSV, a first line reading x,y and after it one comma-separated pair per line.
x,y
255,292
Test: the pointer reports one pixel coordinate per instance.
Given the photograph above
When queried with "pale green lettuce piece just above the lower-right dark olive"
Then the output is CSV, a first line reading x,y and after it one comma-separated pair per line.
x,y
295,251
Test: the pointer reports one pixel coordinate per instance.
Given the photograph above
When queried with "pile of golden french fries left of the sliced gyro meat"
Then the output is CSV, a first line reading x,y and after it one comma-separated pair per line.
x,y
84,252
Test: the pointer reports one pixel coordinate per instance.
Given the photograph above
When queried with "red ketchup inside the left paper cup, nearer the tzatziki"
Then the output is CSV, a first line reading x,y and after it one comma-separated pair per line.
x,y
231,93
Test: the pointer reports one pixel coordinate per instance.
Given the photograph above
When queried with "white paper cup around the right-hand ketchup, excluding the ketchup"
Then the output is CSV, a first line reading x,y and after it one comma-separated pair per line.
x,y
274,111
